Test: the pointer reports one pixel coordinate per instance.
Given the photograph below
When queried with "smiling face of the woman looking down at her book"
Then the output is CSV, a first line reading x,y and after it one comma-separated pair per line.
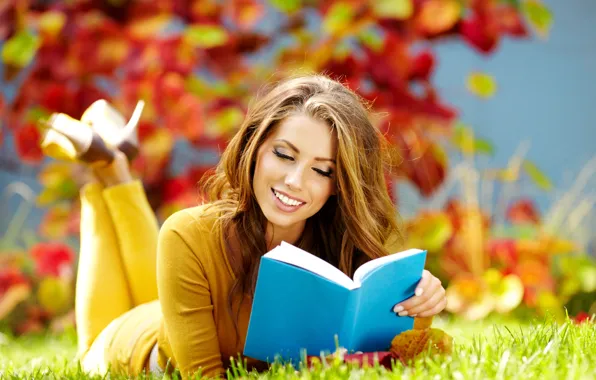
x,y
295,171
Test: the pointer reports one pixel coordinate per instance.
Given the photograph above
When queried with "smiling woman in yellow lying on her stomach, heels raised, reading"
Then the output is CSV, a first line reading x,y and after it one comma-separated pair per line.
x,y
306,167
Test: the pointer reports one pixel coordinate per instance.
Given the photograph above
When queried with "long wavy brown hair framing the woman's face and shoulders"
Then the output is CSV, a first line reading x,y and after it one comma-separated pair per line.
x,y
353,226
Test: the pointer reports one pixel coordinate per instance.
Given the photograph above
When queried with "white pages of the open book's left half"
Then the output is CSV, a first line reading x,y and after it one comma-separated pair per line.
x,y
295,256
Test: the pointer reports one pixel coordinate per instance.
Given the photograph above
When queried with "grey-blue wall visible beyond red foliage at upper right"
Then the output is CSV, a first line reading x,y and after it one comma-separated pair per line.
x,y
546,95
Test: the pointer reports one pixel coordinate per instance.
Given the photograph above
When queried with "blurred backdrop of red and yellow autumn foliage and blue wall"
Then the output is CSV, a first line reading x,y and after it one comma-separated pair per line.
x,y
490,102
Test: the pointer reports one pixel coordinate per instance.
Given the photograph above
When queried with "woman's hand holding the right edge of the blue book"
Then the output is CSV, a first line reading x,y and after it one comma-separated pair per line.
x,y
429,299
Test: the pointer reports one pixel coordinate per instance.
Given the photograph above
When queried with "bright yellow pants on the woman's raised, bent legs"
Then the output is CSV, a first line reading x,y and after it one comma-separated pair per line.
x,y
117,313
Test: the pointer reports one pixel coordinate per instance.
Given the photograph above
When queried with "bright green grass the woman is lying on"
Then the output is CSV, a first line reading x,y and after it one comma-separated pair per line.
x,y
496,349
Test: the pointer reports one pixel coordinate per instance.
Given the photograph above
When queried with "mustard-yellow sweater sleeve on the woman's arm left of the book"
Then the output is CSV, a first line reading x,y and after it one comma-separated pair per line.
x,y
185,295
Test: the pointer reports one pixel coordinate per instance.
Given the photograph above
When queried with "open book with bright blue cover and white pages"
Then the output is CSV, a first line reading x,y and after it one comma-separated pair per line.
x,y
301,302
